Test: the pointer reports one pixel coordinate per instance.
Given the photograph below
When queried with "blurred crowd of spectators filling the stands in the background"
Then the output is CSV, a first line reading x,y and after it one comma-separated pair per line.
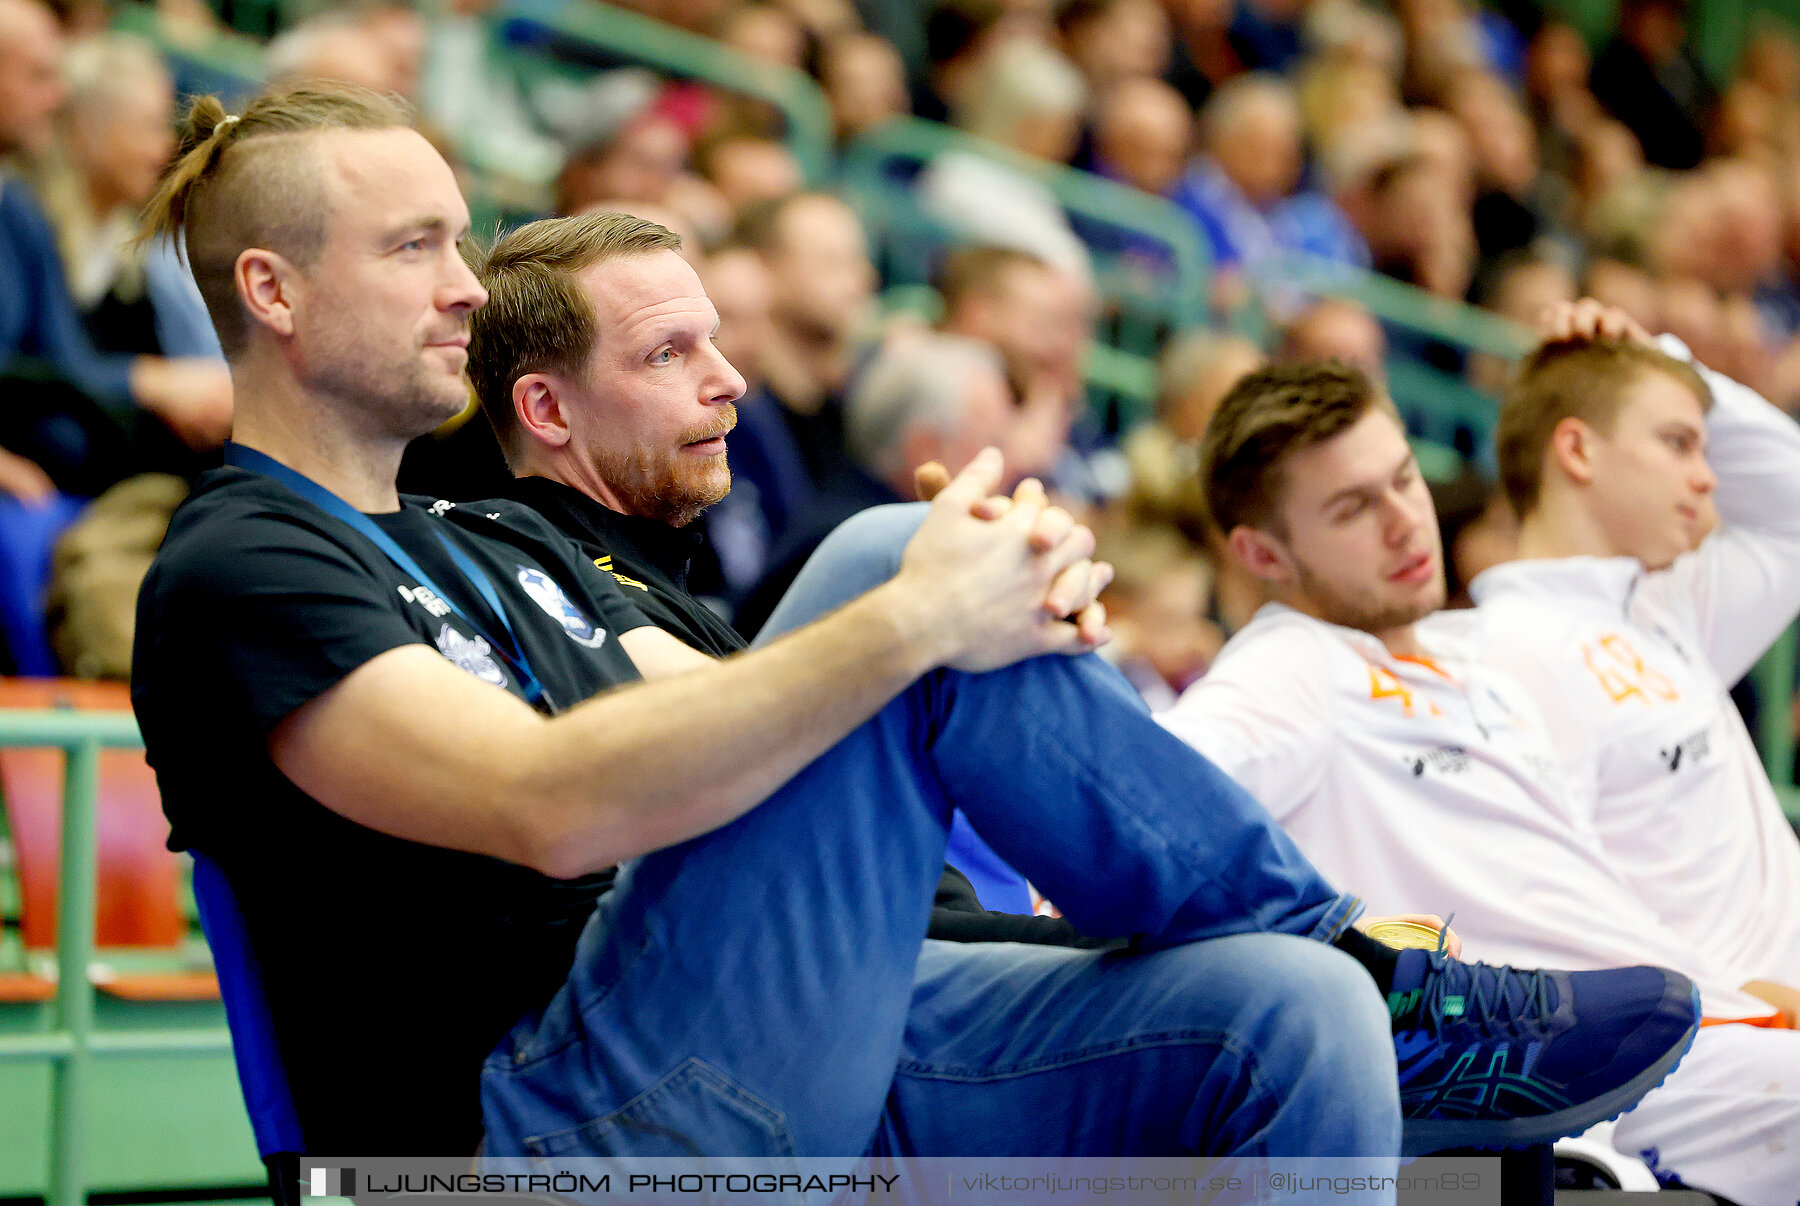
x,y
1479,152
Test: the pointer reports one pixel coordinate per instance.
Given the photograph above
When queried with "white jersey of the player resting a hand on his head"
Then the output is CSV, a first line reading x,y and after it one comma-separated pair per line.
x,y
1632,672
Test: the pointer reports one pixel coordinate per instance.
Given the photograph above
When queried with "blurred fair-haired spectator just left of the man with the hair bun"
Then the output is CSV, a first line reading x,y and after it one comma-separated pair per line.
x,y
116,139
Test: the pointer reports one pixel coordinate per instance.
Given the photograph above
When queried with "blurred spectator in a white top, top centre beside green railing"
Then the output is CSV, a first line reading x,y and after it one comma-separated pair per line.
x,y
1030,100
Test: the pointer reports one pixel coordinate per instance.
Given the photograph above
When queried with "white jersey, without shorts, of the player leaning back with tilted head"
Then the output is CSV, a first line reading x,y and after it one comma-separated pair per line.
x,y
1426,787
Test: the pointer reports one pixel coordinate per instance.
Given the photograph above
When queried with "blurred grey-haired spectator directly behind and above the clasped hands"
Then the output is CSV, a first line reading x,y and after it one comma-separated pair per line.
x,y
926,397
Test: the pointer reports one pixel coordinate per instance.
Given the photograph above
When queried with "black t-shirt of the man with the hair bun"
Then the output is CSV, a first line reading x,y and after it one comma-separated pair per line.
x,y
391,967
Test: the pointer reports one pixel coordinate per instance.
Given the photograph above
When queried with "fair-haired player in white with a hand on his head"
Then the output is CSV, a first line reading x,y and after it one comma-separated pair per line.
x,y
1628,622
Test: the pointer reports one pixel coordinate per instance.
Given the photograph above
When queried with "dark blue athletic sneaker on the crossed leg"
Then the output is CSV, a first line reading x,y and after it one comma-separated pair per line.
x,y
1493,1057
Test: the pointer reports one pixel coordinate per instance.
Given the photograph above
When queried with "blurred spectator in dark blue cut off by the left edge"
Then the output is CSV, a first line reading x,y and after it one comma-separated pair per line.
x,y
78,444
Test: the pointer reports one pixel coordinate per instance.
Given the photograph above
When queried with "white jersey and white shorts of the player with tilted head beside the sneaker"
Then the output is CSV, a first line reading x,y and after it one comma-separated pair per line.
x,y
1434,787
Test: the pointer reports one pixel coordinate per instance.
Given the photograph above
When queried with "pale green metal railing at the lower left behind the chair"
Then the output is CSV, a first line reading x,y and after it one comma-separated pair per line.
x,y
73,1043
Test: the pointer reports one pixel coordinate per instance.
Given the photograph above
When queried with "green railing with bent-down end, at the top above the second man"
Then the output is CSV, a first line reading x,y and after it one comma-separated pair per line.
x,y
638,39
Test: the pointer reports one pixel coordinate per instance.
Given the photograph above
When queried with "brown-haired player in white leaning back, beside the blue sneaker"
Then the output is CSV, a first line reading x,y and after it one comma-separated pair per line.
x,y
1403,764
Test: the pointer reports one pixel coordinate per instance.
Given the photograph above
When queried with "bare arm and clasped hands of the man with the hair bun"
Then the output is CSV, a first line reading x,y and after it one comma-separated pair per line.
x,y
660,762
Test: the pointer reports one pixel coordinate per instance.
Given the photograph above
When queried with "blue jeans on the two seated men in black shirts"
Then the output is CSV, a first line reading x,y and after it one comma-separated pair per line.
x,y
766,989
